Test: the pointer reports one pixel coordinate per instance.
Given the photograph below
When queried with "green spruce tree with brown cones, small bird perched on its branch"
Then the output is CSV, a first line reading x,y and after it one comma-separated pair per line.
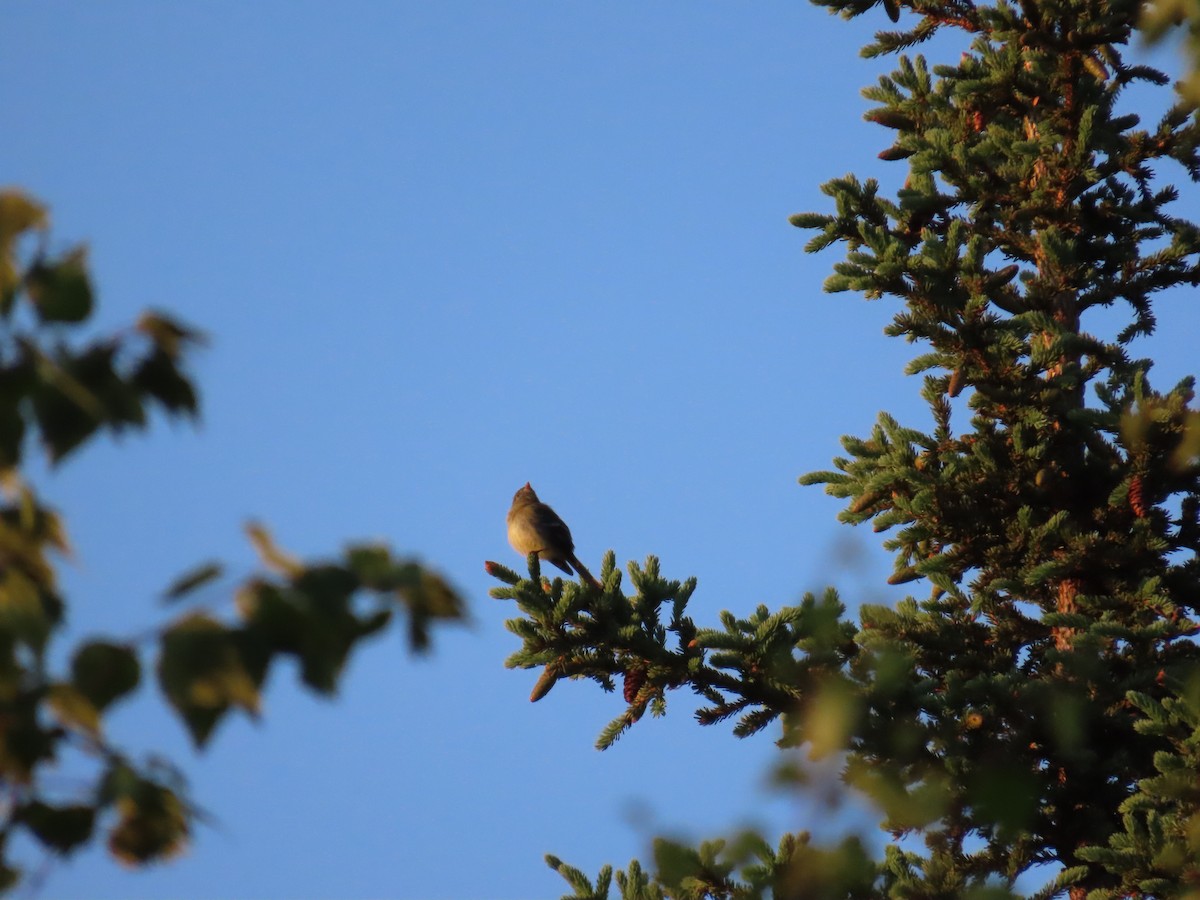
x,y
1036,703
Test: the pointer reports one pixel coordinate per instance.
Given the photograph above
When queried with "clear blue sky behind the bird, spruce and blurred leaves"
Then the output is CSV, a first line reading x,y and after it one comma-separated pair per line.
x,y
443,249
